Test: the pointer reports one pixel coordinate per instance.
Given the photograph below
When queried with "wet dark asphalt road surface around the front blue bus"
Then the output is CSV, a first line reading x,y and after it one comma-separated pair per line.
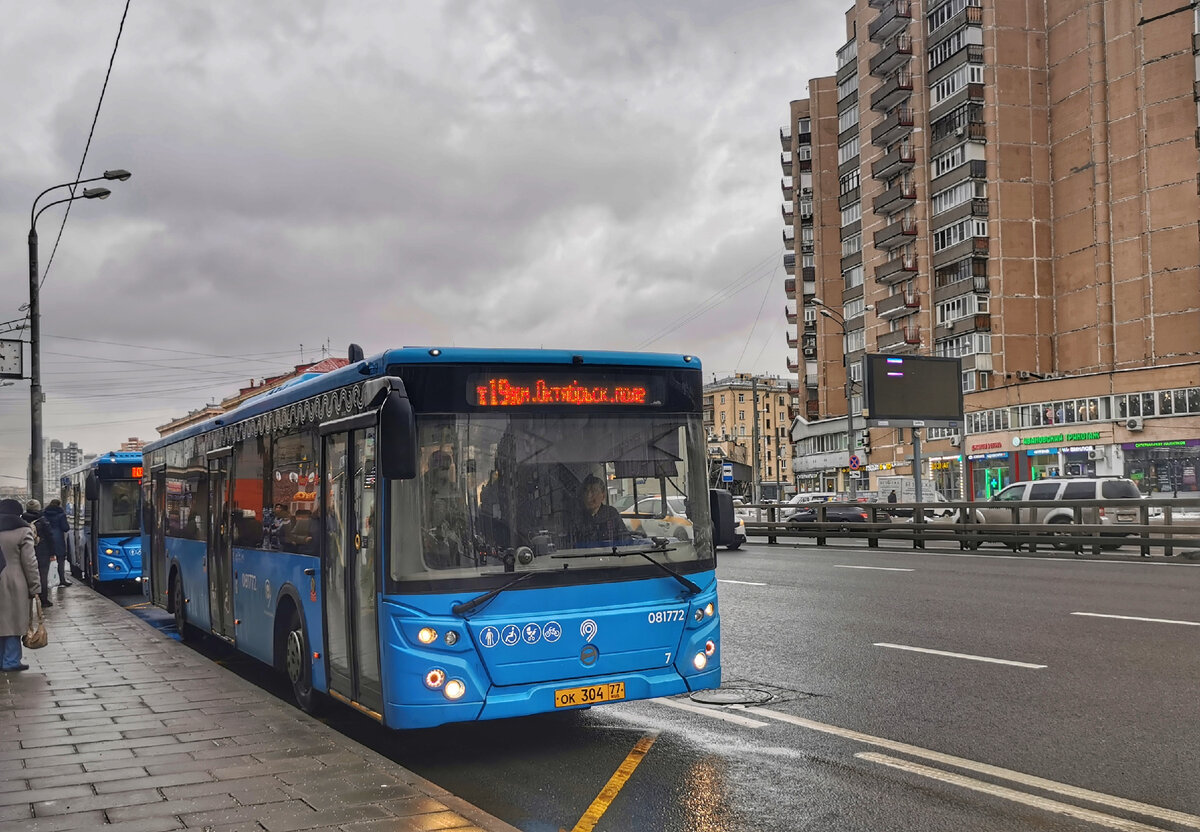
x,y
1111,707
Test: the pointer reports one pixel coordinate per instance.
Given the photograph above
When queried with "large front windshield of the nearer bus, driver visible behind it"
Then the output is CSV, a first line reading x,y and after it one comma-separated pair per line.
x,y
517,493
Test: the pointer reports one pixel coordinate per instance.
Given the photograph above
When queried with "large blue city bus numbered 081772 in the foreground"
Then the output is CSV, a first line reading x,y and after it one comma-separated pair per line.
x,y
412,535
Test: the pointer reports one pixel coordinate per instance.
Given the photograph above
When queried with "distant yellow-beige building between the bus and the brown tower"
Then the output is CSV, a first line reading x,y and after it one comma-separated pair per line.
x,y
731,405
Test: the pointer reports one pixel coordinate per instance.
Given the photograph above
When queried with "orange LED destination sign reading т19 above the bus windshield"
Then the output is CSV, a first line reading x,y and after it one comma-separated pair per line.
x,y
530,391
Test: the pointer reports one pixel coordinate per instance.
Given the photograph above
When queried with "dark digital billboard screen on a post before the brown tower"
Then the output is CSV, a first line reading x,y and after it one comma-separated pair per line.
x,y
914,391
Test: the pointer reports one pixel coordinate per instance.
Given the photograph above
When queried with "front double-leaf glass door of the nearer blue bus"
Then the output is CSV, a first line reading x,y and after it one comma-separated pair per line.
x,y
349,512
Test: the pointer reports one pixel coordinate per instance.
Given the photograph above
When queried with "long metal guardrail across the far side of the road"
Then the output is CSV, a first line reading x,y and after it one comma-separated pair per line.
x,y
1178,526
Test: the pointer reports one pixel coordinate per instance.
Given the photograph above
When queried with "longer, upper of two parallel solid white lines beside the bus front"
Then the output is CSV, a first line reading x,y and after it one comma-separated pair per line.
x,y
1064,789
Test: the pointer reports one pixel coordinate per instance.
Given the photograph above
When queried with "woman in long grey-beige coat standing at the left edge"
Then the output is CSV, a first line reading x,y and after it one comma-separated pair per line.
x,y
19,583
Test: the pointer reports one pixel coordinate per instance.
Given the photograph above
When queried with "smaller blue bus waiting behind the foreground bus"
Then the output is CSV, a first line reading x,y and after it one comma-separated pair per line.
x,y
104,504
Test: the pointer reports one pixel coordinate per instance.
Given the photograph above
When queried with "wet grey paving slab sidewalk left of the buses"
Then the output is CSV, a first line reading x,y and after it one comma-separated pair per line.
x,y
118,725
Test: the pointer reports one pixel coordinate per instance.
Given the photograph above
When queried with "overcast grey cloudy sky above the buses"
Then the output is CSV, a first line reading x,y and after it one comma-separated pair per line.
x,y
494,173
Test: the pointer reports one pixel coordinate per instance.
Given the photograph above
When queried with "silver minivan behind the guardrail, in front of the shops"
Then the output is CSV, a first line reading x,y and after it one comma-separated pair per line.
x,y
1121,492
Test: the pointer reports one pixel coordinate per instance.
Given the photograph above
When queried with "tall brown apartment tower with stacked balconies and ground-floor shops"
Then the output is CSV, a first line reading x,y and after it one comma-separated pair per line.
x,y
1012,183
